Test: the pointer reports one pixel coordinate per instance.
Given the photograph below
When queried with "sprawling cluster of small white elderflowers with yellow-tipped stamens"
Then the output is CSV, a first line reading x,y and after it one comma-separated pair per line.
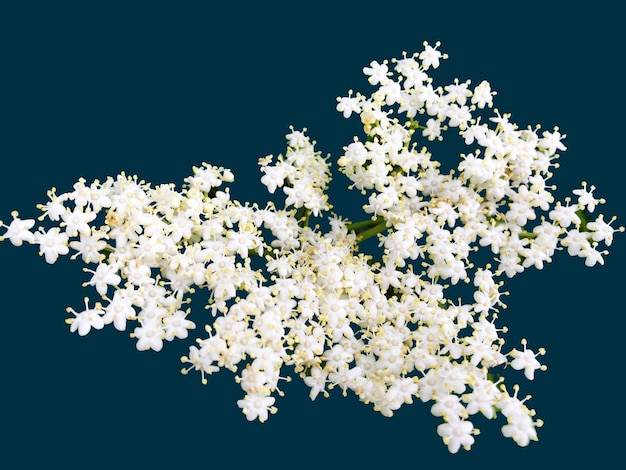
x,y
285,295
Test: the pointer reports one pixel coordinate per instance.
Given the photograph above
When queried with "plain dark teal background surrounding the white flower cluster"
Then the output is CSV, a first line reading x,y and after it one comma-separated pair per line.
x,y
153,90
